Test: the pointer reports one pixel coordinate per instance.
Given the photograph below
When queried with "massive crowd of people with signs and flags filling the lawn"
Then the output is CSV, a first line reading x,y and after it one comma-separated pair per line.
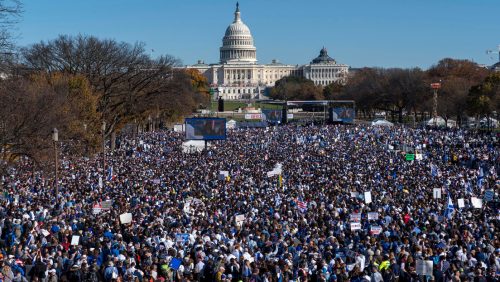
x,y
287,203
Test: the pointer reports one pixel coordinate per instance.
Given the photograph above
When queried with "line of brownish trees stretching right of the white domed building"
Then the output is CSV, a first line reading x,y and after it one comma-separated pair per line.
x,y
467,90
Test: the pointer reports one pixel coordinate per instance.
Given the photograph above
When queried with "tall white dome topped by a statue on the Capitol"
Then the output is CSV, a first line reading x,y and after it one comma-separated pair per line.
x,y
237,44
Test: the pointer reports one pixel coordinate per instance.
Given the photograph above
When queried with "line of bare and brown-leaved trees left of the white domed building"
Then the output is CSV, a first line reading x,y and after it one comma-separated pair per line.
x,y
77,83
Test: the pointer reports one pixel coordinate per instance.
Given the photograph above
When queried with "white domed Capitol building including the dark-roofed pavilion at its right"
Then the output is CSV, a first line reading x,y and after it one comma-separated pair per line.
x,y
239,76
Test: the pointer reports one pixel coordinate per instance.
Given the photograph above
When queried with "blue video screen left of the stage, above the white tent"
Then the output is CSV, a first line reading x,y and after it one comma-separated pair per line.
x,y
205,128
